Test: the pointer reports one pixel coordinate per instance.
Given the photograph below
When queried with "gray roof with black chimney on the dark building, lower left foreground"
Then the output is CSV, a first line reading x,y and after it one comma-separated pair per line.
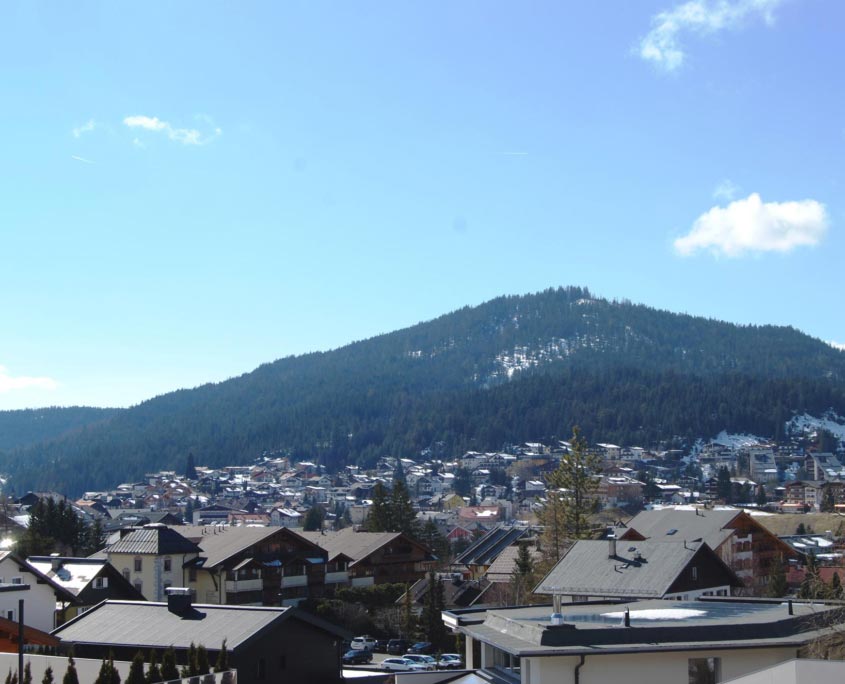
x,y
151,625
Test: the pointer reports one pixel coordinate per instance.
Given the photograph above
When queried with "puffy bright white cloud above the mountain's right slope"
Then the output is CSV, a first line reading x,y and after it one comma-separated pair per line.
x,y
751,225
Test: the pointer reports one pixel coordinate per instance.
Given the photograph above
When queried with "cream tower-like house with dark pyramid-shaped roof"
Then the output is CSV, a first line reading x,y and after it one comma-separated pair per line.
x,y
153,558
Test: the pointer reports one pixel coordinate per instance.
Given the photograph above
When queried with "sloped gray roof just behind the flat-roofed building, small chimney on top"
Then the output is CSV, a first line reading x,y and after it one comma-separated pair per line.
x,y
588,570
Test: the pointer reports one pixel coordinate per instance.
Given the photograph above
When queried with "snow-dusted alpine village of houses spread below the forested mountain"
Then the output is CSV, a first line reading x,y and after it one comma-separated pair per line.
x,y
269,570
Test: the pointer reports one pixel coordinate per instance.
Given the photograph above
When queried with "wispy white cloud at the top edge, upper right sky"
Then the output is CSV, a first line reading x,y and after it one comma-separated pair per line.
x,y
662,44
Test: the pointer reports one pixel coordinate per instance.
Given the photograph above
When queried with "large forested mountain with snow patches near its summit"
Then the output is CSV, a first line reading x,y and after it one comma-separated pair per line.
x,y
512,369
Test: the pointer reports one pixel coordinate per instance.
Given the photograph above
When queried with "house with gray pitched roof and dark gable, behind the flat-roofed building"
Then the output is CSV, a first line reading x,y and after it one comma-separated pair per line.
x,y
678,570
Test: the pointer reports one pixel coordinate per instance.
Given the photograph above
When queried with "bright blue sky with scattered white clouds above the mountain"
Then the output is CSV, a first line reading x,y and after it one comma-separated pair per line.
x,y
192,189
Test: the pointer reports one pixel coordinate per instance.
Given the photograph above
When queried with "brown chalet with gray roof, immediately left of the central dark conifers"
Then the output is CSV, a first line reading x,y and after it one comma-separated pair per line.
x,y
375,557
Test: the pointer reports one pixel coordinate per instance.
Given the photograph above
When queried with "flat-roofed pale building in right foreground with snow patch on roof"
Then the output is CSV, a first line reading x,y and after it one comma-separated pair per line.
x,y
644,642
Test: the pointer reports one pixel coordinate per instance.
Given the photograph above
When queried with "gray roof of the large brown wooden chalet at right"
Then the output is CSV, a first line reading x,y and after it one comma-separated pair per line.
x,y
707,525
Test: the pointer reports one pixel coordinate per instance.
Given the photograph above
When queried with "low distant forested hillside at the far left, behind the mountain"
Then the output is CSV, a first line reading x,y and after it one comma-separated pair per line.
x,y
24,428
